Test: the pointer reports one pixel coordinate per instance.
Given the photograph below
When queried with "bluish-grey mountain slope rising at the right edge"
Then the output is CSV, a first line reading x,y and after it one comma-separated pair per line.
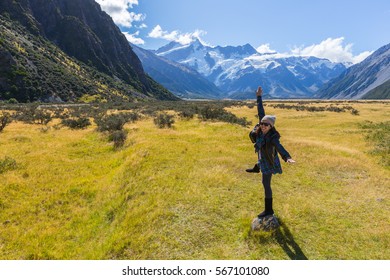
x,y
368,79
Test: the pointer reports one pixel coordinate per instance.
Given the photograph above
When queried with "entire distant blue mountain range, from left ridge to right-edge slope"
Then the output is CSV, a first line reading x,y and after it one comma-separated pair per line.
x,y
237,71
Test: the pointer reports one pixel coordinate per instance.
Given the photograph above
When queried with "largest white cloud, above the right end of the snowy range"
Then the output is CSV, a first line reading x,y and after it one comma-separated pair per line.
x,y
332,49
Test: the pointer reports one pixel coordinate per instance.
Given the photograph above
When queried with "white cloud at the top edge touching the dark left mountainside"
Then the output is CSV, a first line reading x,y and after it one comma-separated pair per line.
x,y
119,11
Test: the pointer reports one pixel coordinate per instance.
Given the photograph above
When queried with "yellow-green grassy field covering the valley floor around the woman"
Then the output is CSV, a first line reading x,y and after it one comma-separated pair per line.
x,y
183,193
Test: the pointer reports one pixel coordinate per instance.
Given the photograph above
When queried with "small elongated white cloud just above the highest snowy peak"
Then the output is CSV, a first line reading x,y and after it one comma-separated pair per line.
x,y
177,36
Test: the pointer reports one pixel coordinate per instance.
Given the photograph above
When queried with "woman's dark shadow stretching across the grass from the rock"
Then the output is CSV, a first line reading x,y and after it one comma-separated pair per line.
x,y
286,240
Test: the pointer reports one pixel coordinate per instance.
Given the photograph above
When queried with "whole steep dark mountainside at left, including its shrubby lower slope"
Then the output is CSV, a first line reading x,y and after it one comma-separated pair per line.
x,y
35,31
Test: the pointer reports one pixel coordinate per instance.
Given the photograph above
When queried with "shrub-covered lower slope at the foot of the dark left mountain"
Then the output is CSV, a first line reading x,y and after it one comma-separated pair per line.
x,y
34,69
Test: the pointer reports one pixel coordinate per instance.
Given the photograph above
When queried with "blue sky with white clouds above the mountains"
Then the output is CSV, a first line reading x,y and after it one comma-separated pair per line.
x,y
341,30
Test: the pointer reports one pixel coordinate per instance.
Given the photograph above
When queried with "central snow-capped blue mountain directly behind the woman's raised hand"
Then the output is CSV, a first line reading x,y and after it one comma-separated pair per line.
x,y
238,71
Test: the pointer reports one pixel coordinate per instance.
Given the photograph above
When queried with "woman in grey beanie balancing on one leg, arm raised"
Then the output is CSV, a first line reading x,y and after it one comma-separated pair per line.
x,y
267,146
